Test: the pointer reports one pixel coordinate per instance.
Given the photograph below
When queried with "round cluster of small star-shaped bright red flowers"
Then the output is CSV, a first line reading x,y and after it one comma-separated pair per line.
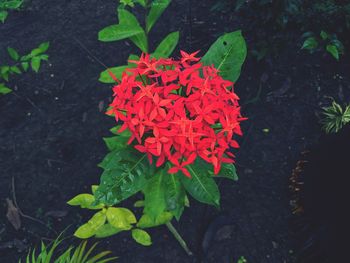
x,y
178,110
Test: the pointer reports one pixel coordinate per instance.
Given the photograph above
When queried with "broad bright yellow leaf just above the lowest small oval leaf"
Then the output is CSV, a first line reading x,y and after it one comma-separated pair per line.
x,y
120,218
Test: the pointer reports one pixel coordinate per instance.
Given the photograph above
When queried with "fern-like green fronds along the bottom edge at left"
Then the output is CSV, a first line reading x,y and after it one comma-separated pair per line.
x,y
79,254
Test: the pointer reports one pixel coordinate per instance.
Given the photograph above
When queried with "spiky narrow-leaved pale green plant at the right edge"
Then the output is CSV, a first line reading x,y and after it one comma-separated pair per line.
x,y
335,117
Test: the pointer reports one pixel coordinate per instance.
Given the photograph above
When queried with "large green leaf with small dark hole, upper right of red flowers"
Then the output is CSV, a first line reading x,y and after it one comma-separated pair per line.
x,y
227,54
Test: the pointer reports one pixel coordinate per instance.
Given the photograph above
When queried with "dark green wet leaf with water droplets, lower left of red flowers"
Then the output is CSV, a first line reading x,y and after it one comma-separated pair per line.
x,y
125,174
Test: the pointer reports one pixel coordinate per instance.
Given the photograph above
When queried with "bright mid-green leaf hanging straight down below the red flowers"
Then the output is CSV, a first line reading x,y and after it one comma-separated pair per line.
x,y
154,191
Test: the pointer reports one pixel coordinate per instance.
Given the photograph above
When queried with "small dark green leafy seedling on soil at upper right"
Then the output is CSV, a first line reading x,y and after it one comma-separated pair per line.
x,y
323,41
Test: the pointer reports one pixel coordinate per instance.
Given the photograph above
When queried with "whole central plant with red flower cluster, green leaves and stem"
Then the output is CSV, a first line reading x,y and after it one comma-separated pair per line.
x,y
177,121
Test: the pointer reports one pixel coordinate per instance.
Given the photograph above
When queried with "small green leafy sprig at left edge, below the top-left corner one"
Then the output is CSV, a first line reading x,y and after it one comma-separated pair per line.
x,y
22,64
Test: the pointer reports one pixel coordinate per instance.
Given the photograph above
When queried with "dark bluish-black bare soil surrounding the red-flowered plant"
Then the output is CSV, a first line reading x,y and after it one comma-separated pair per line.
x,y
51,131
